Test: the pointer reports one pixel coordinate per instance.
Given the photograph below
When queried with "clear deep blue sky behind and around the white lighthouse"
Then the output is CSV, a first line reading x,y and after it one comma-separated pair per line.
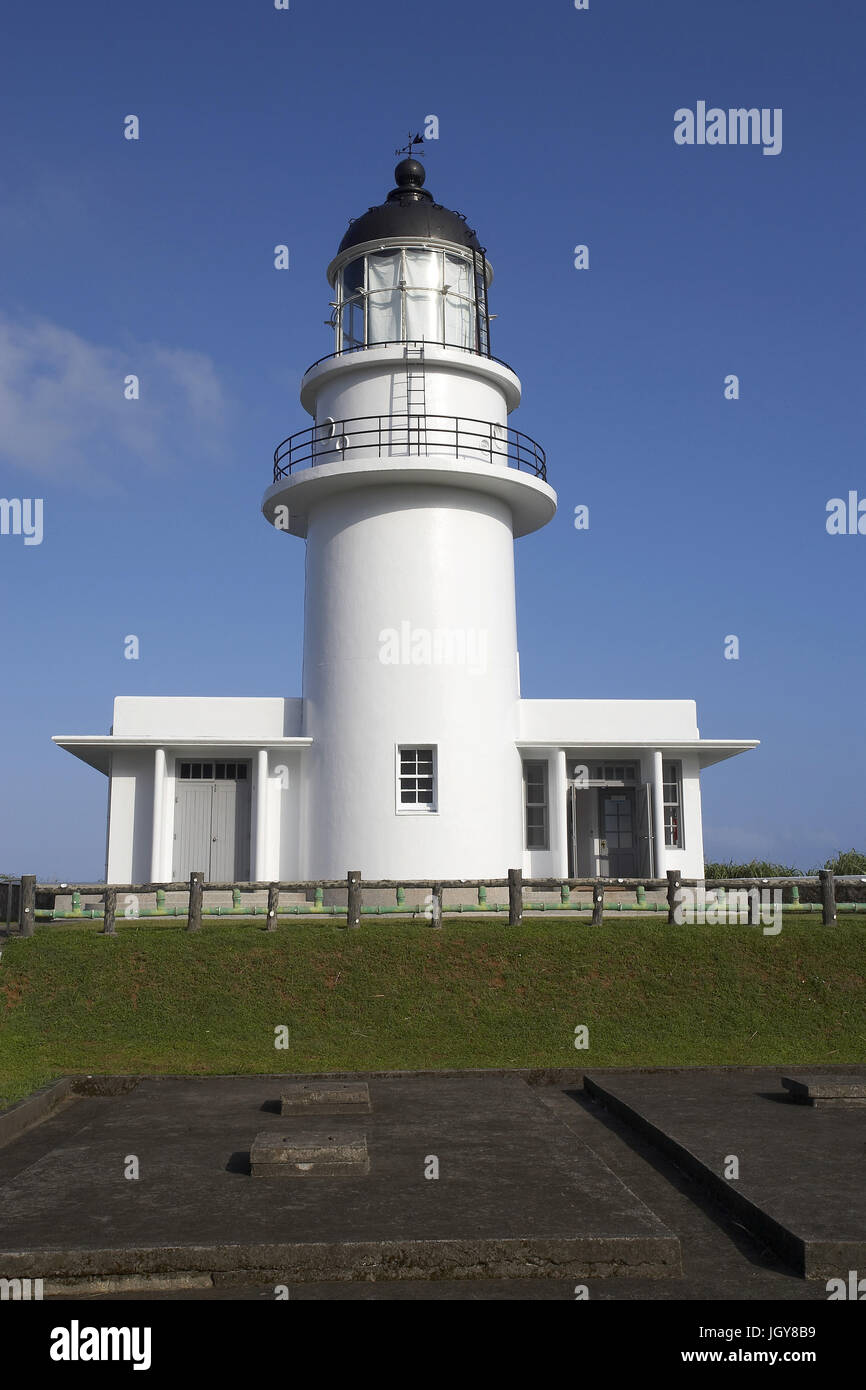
x,y
263,127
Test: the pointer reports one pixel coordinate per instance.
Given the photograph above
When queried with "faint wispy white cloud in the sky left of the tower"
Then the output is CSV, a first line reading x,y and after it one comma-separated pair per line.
x,y
63,415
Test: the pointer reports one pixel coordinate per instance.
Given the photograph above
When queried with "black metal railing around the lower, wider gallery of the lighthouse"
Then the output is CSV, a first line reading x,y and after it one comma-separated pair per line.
x,y
408,436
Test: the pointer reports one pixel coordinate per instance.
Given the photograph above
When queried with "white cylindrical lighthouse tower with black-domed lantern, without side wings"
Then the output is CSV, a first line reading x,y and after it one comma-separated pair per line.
x,y
411,489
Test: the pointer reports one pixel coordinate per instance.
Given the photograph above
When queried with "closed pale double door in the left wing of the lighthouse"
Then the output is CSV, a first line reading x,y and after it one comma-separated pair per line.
x,y
212,828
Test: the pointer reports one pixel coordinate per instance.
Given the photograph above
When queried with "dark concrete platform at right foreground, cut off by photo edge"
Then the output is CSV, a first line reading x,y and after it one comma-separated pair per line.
x,y
803,1171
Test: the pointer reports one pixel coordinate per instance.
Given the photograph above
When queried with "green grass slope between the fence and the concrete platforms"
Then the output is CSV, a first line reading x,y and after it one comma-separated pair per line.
x,y
397,995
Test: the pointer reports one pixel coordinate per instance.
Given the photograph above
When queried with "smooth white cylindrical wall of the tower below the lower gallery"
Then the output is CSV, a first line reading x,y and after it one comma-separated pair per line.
x,y
441,559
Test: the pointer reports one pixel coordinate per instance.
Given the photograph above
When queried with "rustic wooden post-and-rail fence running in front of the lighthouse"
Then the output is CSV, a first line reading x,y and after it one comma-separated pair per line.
x,y
354,886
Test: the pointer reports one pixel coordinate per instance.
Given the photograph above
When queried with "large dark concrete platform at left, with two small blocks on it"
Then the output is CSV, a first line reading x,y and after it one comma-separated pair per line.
x,y
518,1193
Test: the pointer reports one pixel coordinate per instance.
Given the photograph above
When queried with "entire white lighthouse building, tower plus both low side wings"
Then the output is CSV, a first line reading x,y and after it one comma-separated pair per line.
x,y
411,753
